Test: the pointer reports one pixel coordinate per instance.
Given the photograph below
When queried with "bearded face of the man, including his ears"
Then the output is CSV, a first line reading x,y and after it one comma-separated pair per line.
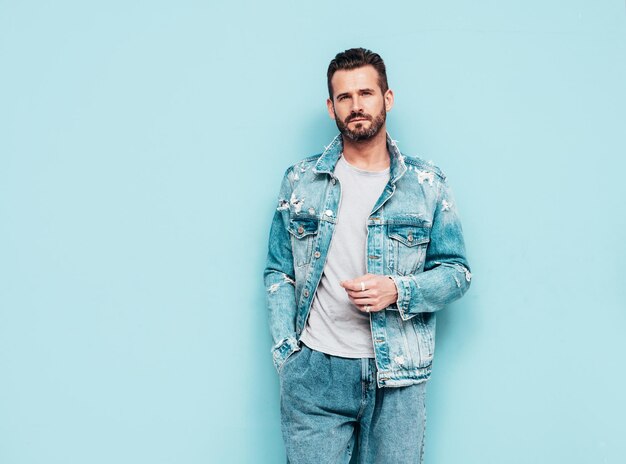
x,y
358,107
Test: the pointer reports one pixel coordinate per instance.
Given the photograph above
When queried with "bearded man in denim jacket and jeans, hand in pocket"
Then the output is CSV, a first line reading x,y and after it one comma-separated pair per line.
x,y
365,246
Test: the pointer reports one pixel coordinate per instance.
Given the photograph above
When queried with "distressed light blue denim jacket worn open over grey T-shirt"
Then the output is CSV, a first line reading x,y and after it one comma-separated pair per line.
x,y
413,235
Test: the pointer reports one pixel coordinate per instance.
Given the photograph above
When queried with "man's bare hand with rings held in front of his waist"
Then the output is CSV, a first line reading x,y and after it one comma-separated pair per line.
x,y
380,291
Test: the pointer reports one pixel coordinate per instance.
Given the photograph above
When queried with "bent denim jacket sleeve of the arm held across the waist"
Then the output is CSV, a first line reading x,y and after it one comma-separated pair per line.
x,y
446,276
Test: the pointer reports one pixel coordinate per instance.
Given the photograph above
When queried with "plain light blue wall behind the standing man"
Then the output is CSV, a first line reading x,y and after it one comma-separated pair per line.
x,y
141,150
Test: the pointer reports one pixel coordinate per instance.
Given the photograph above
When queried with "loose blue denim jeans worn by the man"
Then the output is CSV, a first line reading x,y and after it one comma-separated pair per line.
x,y
330,404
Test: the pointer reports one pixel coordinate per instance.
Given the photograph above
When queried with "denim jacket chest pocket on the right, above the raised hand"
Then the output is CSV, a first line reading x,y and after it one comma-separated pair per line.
x,y
407,247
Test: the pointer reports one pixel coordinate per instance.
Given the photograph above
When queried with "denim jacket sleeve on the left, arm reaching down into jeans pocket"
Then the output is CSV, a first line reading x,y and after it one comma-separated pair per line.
x,y
279,280
